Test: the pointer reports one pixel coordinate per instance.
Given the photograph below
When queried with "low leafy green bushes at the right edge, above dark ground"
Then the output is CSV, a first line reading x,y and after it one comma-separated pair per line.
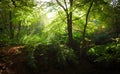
x,y
109,53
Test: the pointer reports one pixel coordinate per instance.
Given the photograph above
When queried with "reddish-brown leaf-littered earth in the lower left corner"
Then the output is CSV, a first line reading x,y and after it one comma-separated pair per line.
x,y
12,60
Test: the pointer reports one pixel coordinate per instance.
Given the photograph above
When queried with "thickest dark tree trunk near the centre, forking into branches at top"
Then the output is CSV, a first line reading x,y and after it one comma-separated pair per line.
x,y
68,10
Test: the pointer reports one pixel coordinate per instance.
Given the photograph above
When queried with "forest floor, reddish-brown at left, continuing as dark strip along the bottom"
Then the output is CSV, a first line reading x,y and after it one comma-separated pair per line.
x,y
12,61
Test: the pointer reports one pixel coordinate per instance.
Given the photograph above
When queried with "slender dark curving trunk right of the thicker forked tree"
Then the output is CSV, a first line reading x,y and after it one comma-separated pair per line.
x,y
83,50
